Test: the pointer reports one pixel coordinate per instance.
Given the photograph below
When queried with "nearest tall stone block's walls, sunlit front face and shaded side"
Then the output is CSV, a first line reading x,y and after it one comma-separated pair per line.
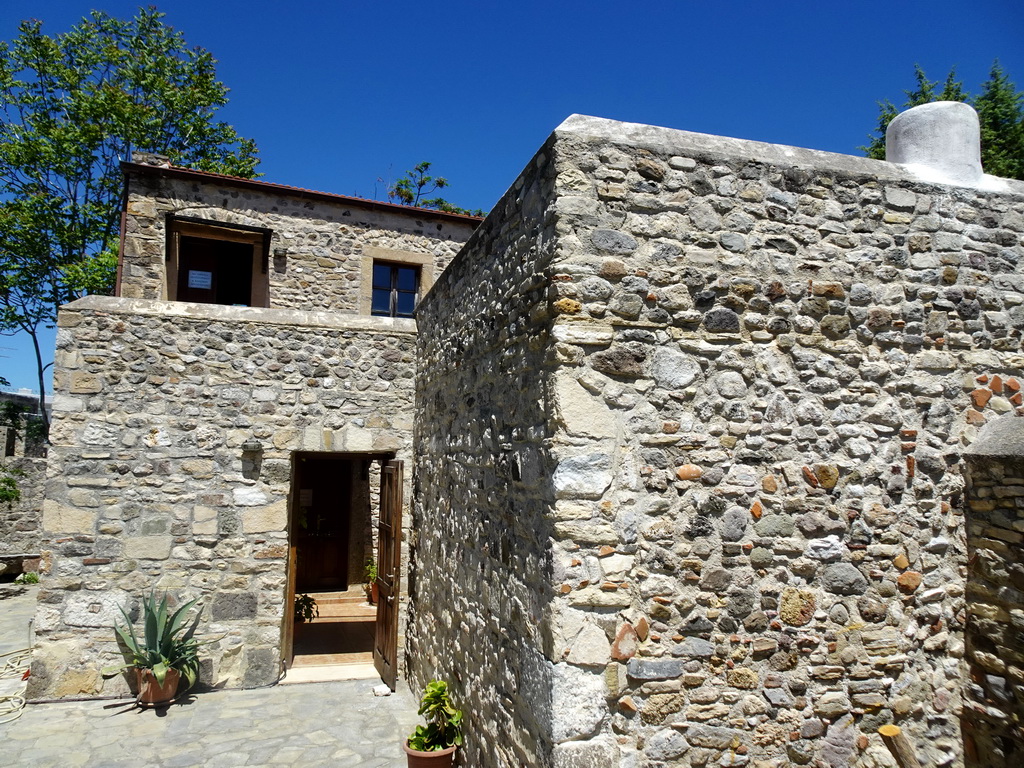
x,y
761,365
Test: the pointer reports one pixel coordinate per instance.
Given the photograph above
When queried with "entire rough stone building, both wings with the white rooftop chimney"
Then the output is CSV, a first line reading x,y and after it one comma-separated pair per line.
x,y
691,422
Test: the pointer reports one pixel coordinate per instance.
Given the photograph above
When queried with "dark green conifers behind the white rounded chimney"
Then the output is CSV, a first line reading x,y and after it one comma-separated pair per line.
x,y
1001,113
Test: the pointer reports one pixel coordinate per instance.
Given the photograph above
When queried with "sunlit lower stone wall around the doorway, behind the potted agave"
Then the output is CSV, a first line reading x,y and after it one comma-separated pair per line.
x,y
149,486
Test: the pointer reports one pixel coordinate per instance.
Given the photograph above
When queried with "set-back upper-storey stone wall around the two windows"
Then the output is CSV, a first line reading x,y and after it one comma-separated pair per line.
x,y
320,245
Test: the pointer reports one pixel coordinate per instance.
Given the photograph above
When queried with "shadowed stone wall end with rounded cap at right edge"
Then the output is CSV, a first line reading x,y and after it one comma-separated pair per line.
x,y
994,708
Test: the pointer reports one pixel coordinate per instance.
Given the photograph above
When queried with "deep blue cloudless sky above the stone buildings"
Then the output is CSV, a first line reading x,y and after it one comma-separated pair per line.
x,y
340,95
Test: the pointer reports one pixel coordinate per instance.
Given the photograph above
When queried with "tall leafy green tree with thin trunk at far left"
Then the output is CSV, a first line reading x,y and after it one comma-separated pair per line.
x,y
72,108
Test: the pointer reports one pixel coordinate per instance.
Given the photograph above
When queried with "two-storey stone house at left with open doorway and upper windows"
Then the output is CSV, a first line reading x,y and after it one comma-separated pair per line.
x,y
228,414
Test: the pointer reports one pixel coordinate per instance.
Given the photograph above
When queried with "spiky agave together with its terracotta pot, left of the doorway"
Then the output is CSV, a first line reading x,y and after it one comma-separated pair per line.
x,y
167,652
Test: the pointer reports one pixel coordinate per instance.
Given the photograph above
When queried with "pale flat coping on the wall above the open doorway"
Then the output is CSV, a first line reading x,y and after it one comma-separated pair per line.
x,y
255,316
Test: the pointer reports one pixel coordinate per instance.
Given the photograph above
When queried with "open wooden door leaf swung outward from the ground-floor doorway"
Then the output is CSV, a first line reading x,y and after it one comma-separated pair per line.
x,y
389,573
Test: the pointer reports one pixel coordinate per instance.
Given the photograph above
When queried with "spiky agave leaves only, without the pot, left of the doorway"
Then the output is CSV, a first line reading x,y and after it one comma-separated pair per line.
x,y
167,643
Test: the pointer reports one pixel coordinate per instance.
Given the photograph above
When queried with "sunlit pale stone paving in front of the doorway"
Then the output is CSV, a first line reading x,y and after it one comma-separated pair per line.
x,y
316,724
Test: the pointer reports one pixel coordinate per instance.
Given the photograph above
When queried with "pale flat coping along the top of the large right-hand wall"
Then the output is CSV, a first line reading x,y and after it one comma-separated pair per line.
x,y
697,145
